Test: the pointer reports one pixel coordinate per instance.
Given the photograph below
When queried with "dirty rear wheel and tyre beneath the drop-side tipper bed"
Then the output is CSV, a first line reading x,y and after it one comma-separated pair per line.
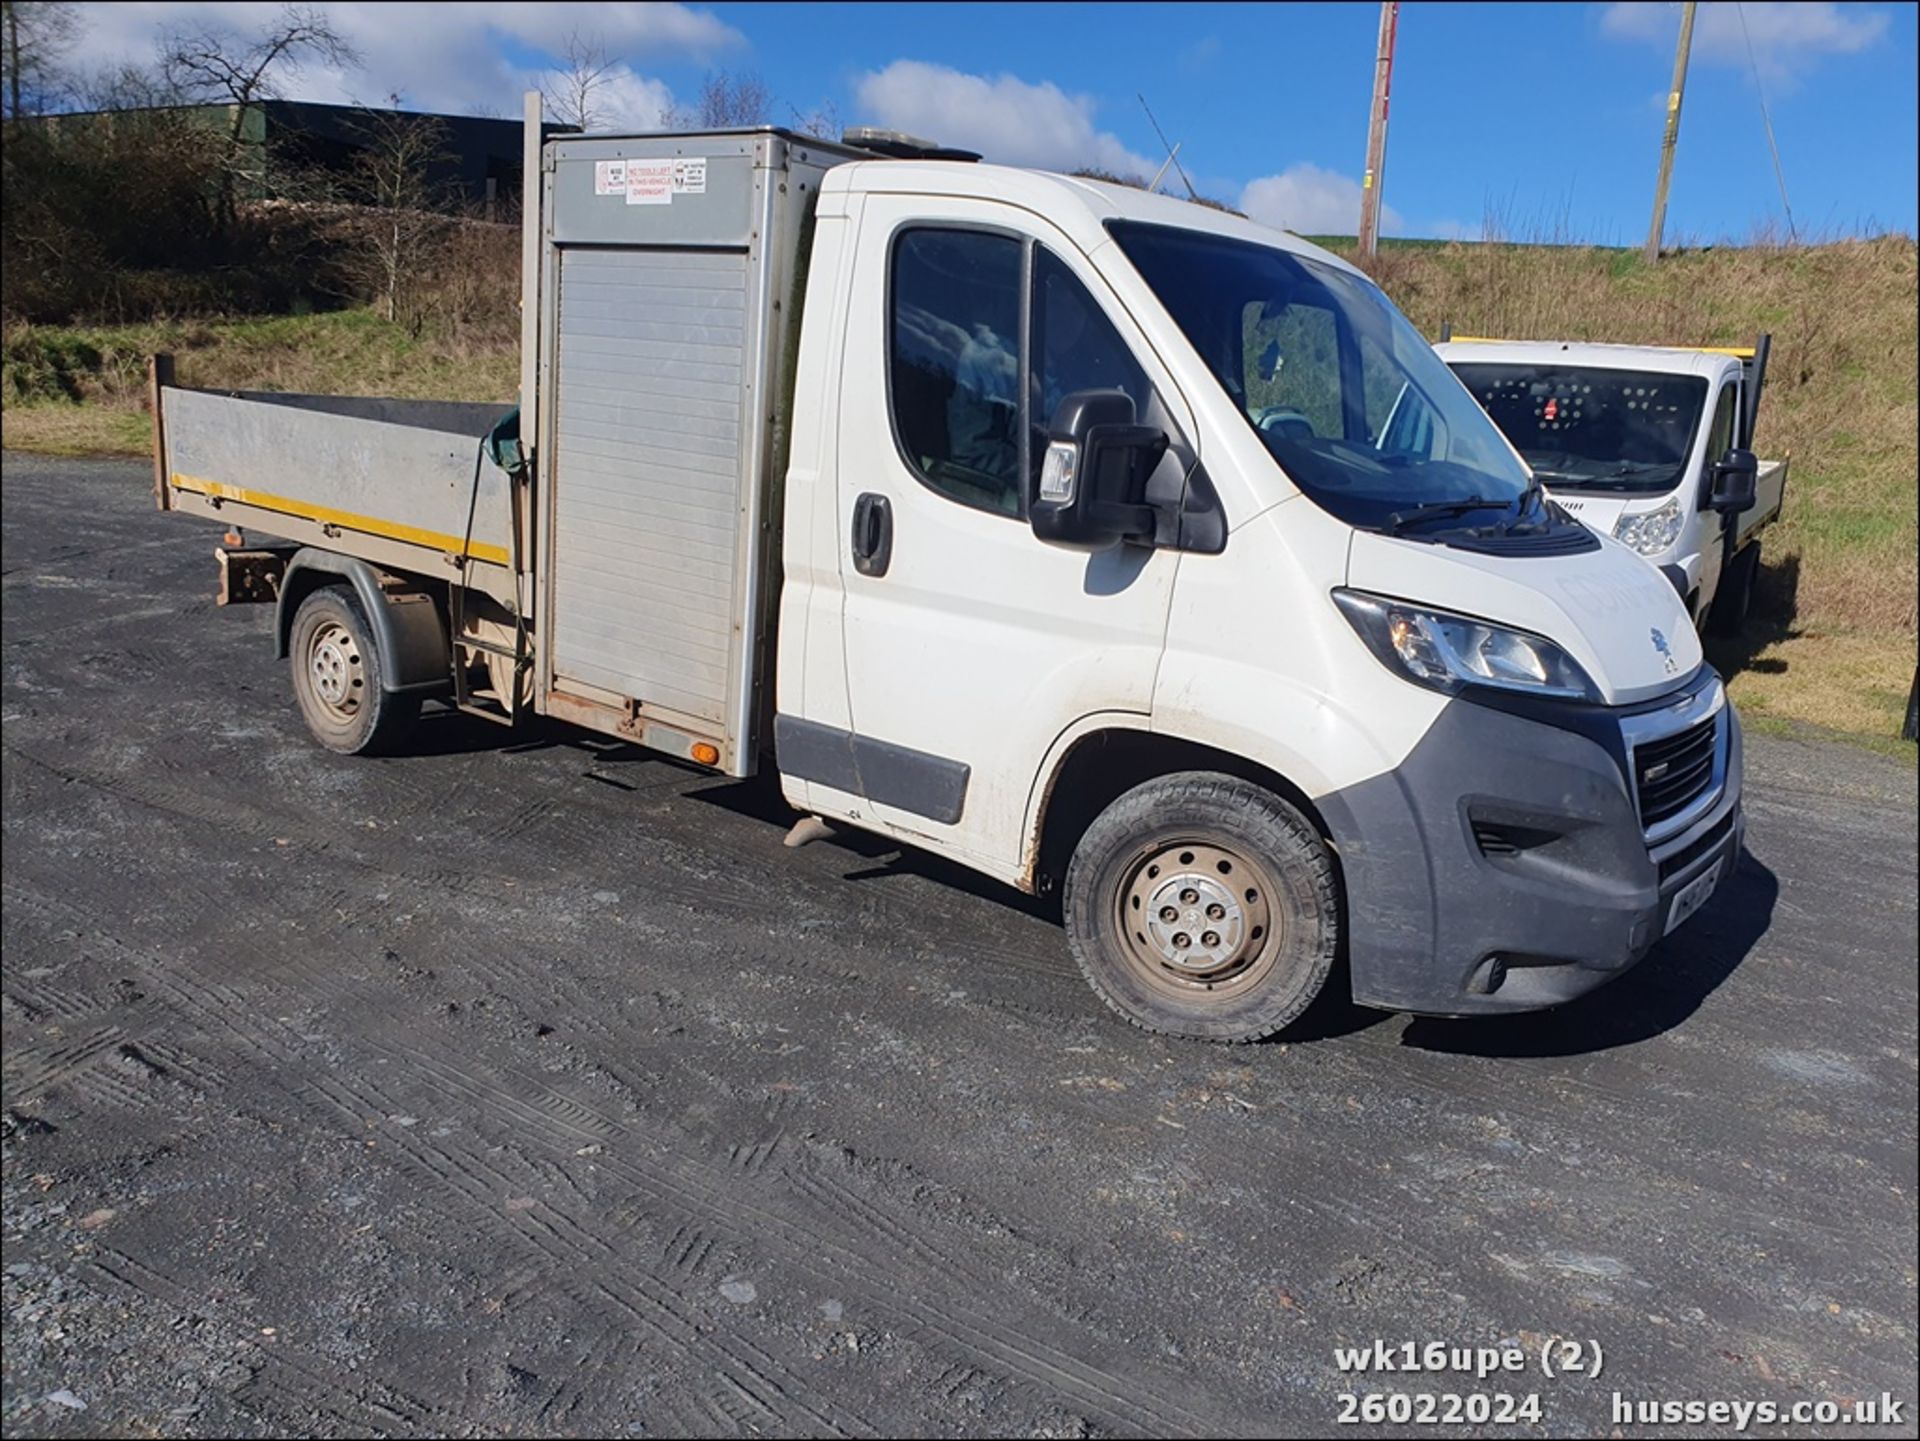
x,y
339,678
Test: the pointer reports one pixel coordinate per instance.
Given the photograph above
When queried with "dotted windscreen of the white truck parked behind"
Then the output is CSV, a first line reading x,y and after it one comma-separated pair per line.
x,y
1593,429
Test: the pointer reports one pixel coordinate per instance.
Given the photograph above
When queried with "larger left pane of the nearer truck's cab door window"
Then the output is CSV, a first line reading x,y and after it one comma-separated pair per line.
x,y
957,366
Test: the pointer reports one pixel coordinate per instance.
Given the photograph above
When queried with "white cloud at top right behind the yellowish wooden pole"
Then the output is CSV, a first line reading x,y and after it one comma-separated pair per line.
x,y
1787,37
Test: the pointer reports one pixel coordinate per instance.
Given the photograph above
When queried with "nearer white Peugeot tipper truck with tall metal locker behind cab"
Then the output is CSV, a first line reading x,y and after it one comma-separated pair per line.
x,y
1078,534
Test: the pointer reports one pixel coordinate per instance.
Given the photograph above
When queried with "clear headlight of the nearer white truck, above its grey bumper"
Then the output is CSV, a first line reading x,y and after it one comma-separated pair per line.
x,y
1445,651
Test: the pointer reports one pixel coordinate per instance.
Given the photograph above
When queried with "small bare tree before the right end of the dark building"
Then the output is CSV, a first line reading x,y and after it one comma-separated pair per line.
x,y
393,179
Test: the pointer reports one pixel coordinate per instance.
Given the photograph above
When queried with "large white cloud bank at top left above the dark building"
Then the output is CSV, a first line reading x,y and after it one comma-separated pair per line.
x,y
435,57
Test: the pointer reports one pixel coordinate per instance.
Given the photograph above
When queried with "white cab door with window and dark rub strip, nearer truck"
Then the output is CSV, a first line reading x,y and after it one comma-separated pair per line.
x,y
971,644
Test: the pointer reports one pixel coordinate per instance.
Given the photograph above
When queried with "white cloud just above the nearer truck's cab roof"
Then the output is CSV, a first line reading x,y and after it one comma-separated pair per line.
x,y
1003,118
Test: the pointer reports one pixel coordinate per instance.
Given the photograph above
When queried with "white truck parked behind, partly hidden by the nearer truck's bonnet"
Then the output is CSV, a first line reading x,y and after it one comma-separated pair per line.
x,y
1648,444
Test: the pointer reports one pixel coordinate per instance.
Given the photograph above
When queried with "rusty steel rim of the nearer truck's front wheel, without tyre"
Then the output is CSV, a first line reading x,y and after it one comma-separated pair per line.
x,y
1199,918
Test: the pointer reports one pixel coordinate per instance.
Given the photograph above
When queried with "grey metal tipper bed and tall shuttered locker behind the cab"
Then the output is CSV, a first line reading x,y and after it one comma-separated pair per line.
x,y
665,333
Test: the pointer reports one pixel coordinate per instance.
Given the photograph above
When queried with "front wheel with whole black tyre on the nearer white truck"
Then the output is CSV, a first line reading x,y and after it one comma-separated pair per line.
x,y
1203,907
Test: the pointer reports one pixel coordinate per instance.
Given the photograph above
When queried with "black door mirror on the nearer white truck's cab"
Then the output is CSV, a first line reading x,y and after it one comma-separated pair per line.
x,y
1093,477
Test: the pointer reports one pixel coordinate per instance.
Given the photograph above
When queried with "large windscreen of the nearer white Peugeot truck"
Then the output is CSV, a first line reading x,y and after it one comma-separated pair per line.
x,y
1355,406
